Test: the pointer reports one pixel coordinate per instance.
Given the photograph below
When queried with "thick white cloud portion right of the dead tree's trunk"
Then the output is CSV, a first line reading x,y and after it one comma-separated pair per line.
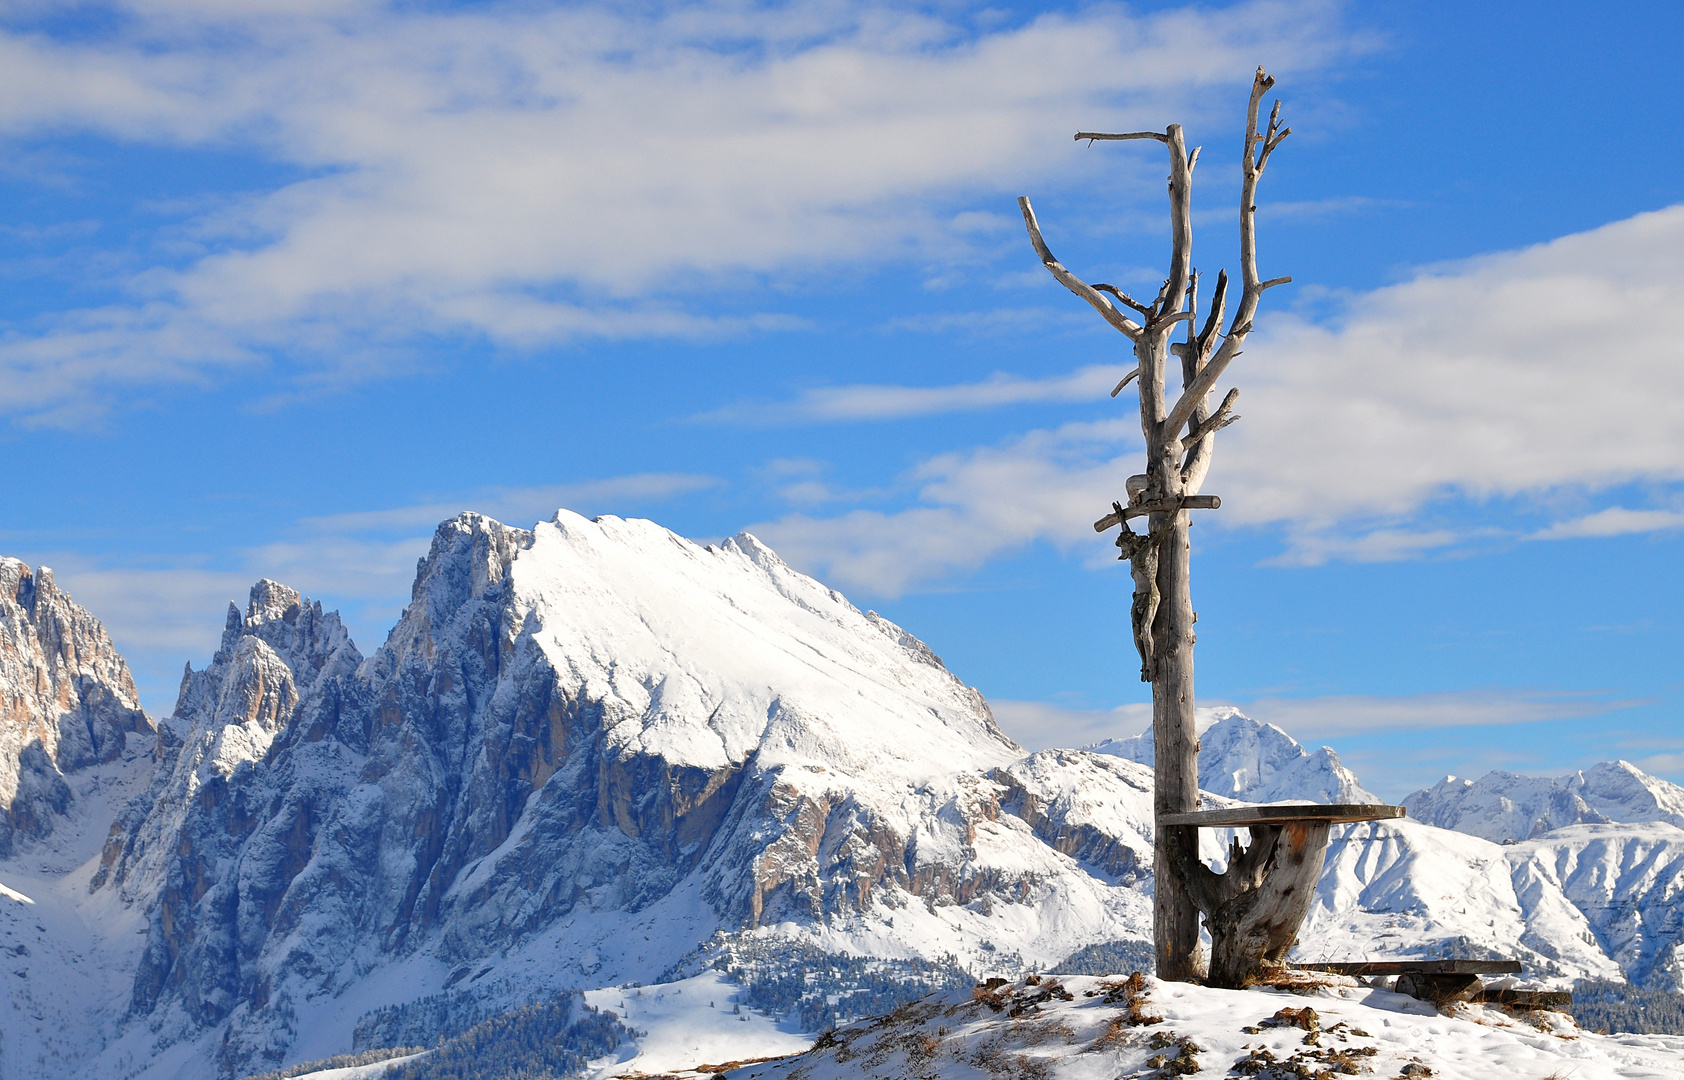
x,y
1520,373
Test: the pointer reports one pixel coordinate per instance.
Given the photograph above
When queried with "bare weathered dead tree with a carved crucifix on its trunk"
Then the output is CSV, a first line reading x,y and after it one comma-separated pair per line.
x,y
1180,444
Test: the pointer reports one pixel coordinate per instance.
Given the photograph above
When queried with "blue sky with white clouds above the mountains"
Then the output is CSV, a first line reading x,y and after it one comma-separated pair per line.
x,y
289,282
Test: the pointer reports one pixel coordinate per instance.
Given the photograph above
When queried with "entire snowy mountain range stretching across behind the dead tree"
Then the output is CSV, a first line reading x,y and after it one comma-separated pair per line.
x,y
595,754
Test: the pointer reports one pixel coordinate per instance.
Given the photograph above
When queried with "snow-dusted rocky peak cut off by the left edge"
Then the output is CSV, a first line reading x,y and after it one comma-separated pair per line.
x,y
67,700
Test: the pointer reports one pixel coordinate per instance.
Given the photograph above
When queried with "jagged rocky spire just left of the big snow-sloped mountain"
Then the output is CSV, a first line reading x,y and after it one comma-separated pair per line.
x,y
226,828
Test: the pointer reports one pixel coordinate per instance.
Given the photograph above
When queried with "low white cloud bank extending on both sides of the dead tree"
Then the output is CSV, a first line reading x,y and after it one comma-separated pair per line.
x,y
1515,377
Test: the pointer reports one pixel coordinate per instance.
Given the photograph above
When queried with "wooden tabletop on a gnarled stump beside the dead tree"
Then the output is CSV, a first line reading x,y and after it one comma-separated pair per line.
x,y
1255,909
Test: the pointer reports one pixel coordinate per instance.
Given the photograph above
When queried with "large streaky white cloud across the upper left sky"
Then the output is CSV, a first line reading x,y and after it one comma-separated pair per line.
x,y
533,174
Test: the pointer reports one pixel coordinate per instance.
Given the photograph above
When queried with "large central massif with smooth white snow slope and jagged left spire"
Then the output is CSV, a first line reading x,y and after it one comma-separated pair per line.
x,y
570,729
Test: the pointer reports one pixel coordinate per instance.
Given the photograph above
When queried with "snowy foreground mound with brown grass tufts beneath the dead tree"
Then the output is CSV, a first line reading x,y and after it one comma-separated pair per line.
x,y
1084,1029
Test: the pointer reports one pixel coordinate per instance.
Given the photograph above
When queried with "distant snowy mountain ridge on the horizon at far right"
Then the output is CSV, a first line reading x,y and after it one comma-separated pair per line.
x,y
1505,806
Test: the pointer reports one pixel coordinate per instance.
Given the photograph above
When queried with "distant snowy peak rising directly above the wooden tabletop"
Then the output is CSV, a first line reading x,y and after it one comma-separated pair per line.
x,y
1255,762
